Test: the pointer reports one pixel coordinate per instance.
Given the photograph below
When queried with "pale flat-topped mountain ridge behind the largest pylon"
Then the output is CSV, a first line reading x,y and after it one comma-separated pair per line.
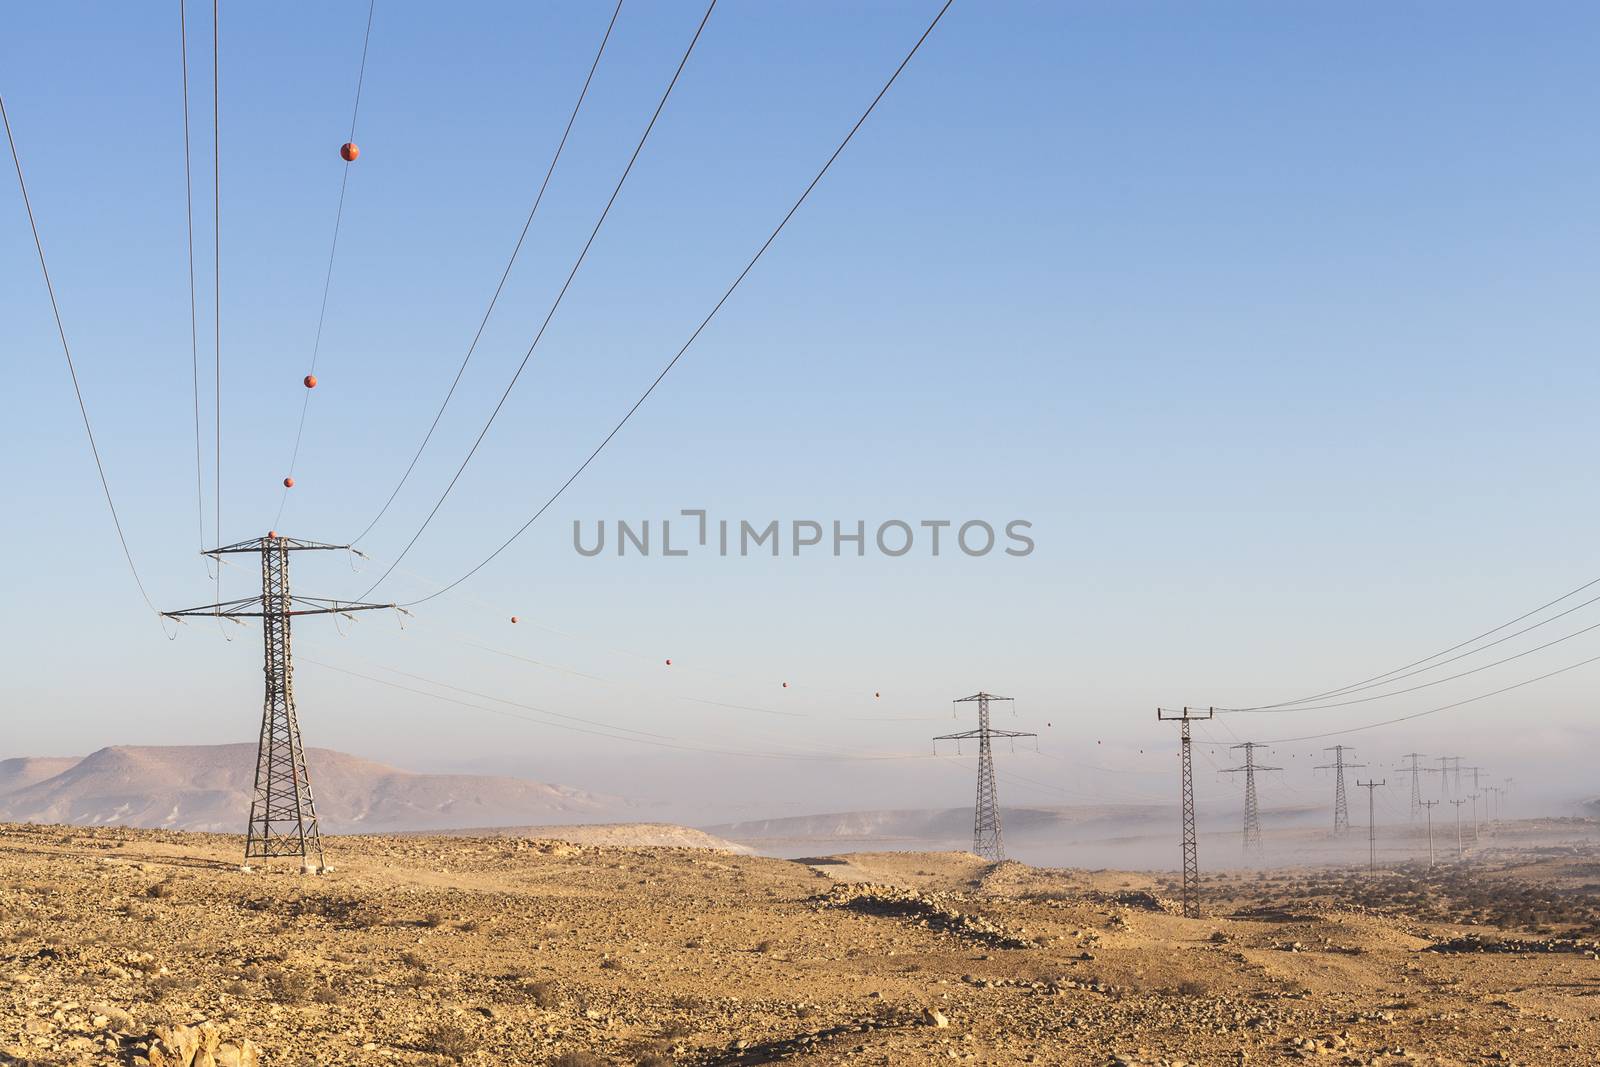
x,y
209,788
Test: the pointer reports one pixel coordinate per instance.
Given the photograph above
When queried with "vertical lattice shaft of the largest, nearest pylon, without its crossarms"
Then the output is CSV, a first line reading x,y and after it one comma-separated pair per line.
x,y
282,815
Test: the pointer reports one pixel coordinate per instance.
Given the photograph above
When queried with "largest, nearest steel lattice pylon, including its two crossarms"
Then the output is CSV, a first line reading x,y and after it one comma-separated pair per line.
x,y
284,813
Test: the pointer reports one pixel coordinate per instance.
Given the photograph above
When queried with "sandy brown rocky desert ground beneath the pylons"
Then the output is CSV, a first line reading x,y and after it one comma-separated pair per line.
x,y
137,946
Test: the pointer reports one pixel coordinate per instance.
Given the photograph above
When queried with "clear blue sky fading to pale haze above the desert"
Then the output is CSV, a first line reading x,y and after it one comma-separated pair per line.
x,y
1274,321
